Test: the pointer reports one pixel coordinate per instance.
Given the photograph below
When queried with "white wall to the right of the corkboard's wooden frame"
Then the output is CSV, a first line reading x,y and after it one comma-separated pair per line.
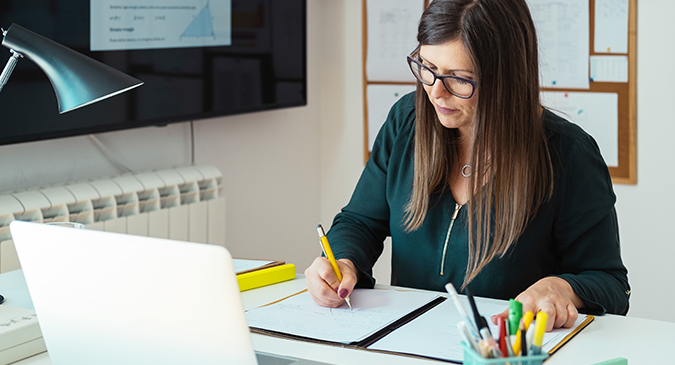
x,y
646,209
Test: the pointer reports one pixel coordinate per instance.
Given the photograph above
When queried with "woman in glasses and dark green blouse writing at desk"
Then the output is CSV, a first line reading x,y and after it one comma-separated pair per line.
x,y
478,184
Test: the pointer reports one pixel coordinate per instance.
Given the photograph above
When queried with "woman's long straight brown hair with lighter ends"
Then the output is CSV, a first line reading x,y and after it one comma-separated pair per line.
x,y
512,174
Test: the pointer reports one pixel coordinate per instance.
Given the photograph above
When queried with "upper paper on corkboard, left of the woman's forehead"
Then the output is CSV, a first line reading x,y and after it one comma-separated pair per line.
x,y
392,35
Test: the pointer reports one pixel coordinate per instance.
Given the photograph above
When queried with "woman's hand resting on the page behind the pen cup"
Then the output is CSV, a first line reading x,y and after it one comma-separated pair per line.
x,y
552,295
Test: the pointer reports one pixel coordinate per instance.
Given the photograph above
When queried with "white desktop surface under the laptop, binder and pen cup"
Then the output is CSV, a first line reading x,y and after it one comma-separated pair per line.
x,y
641,341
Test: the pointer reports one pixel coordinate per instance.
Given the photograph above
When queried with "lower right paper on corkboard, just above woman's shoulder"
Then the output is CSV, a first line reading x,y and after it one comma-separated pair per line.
x,y
596,113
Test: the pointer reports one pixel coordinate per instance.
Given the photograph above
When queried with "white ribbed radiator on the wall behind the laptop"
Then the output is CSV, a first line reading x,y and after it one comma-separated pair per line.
x,y
182,203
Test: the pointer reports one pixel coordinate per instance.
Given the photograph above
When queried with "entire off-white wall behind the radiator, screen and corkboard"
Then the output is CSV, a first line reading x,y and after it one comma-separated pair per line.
x,y
285,171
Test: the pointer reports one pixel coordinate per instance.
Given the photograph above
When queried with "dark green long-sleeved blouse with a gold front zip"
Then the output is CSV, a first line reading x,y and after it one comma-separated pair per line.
x,y
574,235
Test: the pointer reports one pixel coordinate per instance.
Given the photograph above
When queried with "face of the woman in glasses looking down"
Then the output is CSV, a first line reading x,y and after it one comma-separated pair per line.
x,y
450,58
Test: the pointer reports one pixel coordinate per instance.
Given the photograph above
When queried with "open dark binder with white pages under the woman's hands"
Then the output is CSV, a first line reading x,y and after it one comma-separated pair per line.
x,y
423,326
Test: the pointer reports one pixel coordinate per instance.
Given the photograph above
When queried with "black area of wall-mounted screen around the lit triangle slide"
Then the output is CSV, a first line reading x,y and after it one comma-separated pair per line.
x,y
264,69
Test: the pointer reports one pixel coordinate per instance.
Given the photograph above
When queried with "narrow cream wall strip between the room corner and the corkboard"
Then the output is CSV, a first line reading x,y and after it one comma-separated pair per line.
x,y
341,107
